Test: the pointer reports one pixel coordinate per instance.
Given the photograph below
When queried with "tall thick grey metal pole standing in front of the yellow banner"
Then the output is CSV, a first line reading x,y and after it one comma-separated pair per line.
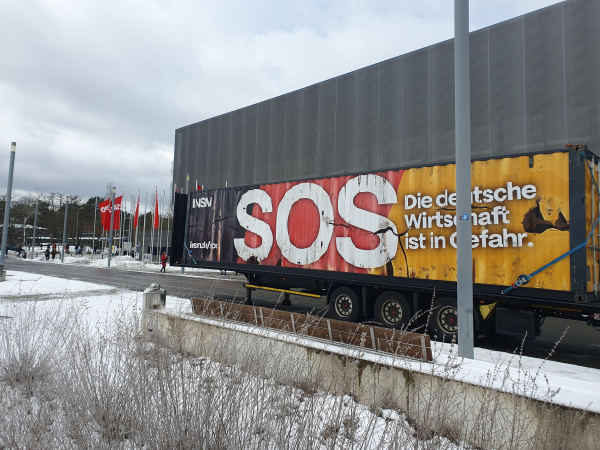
x,y
462,111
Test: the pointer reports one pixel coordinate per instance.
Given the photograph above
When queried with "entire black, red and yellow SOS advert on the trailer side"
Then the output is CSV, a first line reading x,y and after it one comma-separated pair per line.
x,y
399,223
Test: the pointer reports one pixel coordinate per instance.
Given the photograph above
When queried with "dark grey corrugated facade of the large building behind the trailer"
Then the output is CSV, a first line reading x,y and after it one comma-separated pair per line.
x,y
534,86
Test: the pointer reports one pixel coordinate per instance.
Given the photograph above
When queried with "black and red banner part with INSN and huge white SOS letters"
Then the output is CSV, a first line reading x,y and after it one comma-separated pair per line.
x,y
336,224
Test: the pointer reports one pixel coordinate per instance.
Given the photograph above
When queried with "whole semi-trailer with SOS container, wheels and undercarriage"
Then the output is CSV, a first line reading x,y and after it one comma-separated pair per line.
x,y
381,246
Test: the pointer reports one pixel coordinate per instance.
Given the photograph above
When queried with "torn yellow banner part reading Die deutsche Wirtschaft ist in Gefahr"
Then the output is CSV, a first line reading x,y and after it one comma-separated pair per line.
x,y
520,219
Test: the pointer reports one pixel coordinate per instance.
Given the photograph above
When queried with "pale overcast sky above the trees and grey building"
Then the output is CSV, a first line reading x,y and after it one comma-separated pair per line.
x,y
93,90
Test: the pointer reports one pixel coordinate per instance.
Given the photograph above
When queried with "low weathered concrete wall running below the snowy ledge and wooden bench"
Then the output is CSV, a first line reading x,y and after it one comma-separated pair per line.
x,y
432,399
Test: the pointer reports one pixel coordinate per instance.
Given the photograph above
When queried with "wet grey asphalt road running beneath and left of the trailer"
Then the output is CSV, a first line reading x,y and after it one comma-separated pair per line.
x,y
581,344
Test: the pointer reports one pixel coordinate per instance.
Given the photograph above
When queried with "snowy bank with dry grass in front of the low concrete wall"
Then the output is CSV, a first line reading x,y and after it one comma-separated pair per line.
x,y
76,375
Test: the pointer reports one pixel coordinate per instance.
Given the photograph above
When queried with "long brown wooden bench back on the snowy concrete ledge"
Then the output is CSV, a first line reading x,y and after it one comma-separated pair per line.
x,y
397,342
